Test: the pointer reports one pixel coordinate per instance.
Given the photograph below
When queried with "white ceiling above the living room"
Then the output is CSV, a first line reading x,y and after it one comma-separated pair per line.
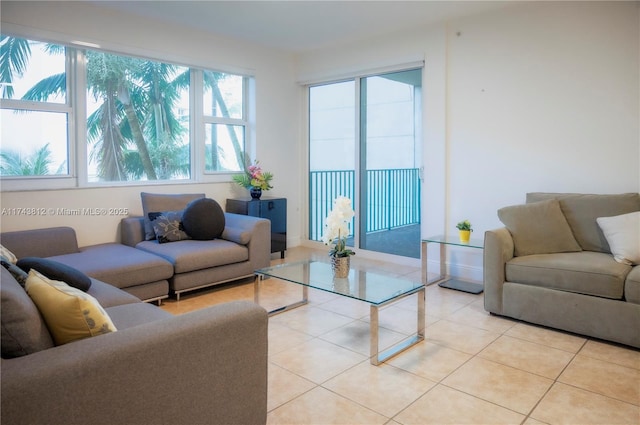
x,y
303,25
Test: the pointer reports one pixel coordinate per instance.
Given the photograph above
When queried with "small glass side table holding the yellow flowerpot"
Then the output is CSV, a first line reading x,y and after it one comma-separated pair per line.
x,y
443,280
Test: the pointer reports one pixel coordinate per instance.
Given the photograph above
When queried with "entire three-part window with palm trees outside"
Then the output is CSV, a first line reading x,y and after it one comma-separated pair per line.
x,y
141,119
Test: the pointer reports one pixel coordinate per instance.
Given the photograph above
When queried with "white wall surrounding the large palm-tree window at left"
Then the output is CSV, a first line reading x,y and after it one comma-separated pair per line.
x,y
277,110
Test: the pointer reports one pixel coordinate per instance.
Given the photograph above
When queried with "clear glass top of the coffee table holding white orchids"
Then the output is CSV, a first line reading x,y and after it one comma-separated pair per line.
x,y
362,285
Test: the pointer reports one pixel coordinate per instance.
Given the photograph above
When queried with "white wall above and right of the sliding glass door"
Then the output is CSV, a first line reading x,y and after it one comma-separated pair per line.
x,y
537,96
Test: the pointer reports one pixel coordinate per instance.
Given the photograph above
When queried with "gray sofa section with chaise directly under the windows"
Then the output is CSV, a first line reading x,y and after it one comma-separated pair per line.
x,y
150,270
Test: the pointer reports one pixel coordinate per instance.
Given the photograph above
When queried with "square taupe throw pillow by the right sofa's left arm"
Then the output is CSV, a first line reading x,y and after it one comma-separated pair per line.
x,y
538,228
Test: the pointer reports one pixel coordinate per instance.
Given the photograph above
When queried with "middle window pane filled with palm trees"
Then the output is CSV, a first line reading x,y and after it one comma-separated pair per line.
x,y
137,119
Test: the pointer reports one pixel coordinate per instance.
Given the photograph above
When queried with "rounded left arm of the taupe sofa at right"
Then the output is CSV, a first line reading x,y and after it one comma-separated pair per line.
x,y
498,249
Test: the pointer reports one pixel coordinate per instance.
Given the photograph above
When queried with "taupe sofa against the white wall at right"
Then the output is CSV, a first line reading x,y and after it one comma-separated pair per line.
x,y
552,265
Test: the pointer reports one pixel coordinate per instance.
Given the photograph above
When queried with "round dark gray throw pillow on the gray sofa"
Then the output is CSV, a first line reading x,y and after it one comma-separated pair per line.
x,y
203,219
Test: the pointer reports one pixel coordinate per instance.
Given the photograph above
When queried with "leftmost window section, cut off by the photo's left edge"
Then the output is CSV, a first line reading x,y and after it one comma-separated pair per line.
x,y
35,109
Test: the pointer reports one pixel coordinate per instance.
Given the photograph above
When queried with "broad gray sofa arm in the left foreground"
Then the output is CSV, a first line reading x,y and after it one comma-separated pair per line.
x,y
208,366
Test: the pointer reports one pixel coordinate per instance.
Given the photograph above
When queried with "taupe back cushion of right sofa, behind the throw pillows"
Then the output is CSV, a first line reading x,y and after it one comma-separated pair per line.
x,y
581,211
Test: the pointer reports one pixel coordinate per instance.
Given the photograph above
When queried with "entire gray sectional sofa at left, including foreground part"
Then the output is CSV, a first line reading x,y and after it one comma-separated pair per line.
x,y
205,367
